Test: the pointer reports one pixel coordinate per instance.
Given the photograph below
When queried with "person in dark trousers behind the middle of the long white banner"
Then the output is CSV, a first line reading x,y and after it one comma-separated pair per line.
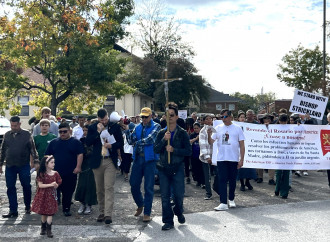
x,y
282,176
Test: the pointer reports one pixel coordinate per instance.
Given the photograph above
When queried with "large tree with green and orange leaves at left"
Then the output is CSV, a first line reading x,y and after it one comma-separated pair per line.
x,y
70,44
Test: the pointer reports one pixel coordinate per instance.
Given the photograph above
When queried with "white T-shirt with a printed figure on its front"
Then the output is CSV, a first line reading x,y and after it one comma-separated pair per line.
x,y
228,138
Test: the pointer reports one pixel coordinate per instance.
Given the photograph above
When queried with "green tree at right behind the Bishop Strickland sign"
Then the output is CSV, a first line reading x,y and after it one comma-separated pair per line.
x,y
302,68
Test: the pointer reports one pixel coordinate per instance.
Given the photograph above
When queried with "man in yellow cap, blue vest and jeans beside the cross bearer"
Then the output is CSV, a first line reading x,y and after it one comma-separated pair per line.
x,y
143,138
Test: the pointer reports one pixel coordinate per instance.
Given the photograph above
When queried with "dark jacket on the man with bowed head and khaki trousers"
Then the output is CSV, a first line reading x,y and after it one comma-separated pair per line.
x,y
93,138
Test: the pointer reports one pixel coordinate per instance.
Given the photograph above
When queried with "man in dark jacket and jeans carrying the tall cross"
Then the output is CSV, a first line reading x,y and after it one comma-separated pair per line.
x,y
171,174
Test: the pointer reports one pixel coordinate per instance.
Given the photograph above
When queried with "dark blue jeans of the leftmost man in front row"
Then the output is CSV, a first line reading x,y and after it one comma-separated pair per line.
x,y
25,179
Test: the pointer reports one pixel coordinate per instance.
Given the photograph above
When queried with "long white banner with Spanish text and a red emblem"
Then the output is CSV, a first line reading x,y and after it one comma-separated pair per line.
x,y
286,147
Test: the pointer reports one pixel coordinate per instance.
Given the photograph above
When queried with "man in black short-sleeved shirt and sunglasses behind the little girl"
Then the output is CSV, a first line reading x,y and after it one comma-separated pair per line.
x,y
68,153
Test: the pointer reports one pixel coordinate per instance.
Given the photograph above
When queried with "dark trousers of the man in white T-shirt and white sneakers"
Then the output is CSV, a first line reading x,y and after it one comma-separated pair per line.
x,y
227,173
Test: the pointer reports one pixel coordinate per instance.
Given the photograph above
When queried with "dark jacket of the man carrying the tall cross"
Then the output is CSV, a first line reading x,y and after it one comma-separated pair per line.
x,y
181,148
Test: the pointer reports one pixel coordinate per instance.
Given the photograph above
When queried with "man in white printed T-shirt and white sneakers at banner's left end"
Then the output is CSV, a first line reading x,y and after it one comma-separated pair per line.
x,y
230,156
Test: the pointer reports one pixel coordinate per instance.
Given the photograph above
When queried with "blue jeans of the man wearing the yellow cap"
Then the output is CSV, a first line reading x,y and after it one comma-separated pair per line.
x,y
146,169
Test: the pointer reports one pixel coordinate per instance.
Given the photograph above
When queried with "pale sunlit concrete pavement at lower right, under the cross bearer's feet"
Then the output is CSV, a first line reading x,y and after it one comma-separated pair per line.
x,y
305,221
